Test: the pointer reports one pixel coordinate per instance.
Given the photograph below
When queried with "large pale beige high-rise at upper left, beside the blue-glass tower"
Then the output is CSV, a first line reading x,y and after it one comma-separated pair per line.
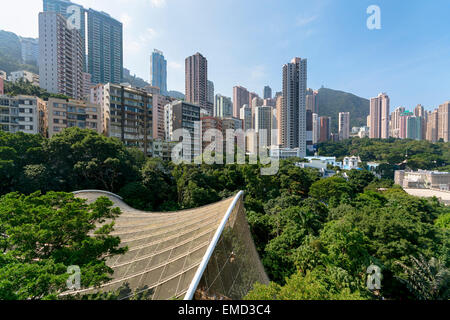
x,y
60,56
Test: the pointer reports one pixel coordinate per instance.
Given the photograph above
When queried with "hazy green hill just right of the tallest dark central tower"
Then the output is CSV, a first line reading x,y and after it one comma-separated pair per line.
x,y
331,102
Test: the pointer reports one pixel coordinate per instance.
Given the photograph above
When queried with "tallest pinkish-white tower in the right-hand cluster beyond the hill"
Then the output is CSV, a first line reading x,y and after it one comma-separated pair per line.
x,y
379,117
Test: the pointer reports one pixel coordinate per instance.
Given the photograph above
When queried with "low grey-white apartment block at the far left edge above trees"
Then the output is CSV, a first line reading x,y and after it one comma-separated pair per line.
x,y
22,114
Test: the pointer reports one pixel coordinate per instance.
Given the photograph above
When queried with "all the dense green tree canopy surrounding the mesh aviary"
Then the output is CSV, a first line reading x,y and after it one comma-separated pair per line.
x,y
316,237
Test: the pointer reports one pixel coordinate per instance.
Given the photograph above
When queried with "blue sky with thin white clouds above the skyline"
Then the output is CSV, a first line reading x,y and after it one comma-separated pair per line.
x,y
246,42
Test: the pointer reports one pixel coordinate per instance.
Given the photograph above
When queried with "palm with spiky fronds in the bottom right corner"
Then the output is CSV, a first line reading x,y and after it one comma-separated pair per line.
x,y
427,280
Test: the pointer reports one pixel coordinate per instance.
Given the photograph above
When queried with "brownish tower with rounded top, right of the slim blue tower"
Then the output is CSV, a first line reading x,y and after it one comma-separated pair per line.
x,y
196,80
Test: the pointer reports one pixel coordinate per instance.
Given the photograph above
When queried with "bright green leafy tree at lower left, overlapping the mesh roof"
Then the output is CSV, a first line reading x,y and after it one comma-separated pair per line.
x,y
41,235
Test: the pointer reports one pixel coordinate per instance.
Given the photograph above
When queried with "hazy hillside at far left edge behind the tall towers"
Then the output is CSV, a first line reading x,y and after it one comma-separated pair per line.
x,y
11,54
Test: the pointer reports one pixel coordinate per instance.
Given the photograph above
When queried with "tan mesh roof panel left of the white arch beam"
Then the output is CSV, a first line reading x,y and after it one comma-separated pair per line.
x,y
164,249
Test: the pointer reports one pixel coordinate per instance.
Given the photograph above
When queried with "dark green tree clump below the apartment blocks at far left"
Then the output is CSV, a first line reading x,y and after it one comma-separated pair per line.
x,y
74,159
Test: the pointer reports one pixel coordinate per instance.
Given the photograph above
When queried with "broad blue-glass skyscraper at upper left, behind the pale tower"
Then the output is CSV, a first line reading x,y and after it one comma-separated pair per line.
x,y
105,48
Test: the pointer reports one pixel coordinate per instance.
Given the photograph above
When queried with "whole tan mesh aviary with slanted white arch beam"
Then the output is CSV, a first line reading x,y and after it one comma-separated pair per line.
x,y
202,253
